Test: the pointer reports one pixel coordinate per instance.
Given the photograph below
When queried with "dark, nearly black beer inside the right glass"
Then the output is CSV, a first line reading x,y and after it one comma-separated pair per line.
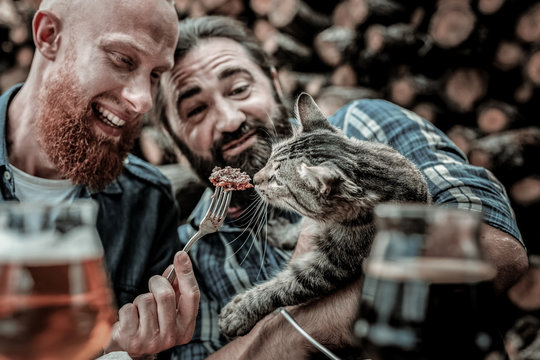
x,y
428,308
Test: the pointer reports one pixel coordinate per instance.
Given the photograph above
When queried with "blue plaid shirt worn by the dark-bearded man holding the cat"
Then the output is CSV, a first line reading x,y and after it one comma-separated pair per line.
x,y
232,260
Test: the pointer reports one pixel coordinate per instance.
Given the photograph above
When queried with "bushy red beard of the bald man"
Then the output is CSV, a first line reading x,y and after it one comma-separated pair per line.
x,y
66,135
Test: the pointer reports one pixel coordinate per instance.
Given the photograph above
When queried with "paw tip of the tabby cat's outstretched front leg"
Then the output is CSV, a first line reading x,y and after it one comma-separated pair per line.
x,y
238,316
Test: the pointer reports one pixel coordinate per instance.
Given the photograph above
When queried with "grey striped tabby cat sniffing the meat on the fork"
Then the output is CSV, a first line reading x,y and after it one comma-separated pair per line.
x,y
336,182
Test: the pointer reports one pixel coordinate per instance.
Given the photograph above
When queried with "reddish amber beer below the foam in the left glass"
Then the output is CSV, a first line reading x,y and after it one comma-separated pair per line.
x,y
50,322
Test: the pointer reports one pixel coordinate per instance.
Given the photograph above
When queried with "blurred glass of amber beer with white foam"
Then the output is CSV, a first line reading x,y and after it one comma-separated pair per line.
x,y
55,299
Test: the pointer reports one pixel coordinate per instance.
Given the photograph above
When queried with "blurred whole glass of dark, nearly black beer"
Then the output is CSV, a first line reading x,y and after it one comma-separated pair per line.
x,y
428,289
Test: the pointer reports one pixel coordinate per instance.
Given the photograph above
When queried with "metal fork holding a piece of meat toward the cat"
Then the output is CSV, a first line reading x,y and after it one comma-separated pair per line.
x,y
216,214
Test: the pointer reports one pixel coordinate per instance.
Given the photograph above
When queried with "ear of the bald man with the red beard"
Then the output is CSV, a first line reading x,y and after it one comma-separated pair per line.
x,y
46,31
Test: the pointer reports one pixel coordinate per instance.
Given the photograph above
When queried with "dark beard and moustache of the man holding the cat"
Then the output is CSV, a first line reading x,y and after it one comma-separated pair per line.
x,y
251,160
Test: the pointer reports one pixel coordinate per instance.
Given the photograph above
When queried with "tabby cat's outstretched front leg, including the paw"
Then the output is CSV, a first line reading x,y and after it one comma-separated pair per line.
x,y
305,278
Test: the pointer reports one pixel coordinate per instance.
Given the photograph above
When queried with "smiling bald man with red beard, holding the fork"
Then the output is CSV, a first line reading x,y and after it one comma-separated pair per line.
x,y
66,134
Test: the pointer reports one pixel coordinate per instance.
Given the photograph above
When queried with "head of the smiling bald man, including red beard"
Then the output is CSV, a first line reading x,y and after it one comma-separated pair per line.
x,y
97,60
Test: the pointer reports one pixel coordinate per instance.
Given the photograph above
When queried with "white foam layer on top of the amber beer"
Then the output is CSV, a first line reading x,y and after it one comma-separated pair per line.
x,y
50,247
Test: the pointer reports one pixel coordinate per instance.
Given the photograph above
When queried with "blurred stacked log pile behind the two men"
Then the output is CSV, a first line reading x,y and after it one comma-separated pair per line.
x,y
472,67
